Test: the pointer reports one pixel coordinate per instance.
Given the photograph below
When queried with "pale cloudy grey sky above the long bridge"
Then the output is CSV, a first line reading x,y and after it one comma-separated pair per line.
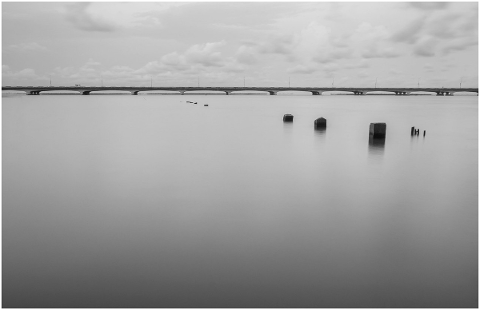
x,y
322,44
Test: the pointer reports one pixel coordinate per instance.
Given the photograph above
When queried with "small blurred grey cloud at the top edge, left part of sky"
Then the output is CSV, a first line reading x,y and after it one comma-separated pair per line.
x,y
80,17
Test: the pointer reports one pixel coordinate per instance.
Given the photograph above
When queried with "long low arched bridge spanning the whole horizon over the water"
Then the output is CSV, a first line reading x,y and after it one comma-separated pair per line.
x,y
86,90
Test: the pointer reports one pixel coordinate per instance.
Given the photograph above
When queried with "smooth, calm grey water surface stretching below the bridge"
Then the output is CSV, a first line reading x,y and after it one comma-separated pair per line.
x,y
149,201
